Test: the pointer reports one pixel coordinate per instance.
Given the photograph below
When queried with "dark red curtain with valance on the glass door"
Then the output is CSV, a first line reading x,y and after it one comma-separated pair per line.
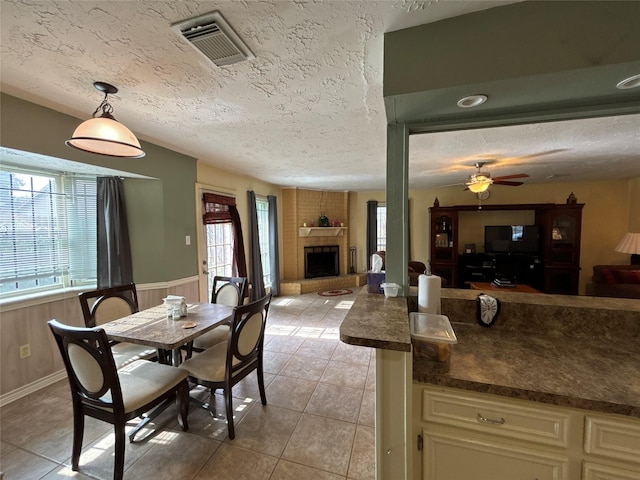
x,y
222,209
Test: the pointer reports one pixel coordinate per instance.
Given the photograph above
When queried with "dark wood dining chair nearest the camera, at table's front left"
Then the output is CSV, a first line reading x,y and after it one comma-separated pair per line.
x,y
100,390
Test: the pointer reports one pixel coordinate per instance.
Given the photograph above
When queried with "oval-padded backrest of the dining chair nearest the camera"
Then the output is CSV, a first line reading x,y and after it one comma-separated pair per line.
x,y
90,366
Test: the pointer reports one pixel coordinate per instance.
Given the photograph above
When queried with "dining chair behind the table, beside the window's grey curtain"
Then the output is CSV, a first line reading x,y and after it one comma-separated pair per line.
x,y
107,304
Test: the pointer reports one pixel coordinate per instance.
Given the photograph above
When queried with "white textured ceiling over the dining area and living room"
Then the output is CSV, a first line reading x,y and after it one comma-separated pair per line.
x,y
307,111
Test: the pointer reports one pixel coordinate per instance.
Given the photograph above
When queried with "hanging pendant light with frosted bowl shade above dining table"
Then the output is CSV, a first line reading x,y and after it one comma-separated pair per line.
x,y
103,134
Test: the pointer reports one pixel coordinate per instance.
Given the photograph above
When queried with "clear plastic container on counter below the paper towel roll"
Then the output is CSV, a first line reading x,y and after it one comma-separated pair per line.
x,y
433,338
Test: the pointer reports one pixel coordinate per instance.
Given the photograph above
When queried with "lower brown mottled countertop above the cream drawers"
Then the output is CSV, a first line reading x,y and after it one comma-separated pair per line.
x,y
592,374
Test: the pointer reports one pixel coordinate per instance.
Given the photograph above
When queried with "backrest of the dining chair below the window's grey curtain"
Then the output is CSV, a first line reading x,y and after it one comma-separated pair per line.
x,y
107,304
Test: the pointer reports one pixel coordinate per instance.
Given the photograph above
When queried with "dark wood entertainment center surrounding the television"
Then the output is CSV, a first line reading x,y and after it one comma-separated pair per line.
x,y
554,269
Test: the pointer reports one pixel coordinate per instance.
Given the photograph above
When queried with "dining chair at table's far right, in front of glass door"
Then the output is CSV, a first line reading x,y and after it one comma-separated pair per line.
x,y
227,291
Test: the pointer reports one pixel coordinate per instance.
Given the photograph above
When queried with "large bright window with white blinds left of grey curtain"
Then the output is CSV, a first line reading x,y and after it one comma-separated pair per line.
x,y
47,231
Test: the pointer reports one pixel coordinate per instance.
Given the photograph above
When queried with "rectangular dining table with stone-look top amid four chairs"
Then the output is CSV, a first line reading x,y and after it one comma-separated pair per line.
x,y
157,328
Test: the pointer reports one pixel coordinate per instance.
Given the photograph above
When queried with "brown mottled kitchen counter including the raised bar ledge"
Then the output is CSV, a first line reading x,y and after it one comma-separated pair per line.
x,y
571,358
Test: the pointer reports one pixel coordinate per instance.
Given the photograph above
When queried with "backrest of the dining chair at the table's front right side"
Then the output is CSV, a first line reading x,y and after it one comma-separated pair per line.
x,y
246,336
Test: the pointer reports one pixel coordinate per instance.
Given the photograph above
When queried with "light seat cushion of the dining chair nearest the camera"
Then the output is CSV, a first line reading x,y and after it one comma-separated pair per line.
x,y
142,381
